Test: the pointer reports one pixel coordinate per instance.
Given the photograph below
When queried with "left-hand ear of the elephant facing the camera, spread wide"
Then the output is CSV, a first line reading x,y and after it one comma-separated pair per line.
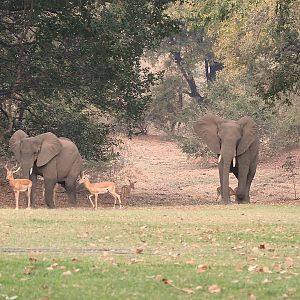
x,y
207,129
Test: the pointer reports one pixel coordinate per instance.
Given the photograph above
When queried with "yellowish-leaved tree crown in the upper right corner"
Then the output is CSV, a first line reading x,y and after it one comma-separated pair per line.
x,y
260,39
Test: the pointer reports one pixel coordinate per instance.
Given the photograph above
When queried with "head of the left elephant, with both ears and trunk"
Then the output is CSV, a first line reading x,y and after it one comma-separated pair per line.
x,y
29,150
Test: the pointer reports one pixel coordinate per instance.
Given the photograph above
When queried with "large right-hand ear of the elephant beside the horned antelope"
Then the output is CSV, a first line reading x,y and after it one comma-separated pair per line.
x,y
51,146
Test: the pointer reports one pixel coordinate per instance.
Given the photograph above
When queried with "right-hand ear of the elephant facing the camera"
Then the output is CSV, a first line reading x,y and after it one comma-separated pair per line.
x,y
250,133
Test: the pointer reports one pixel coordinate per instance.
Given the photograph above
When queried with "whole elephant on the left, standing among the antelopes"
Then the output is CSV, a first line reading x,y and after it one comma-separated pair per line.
x,y
56,159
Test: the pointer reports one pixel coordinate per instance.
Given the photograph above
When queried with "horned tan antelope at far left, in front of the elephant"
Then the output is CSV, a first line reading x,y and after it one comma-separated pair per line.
x,y
18,185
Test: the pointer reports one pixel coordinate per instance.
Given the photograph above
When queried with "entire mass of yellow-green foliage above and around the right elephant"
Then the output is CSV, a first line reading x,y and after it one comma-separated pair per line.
x,y
258,43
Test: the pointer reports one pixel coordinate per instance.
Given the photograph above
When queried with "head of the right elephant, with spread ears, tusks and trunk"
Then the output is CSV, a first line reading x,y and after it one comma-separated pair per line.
x,y
229,140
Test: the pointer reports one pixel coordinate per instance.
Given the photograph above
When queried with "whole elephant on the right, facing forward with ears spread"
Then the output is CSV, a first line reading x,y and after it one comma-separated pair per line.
x,y
236,143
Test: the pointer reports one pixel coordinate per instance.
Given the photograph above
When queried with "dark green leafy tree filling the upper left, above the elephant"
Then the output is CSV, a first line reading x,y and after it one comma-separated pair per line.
x,y
76,56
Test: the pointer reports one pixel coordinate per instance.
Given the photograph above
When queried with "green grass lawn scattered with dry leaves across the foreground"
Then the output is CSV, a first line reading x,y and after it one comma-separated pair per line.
x,y
195,252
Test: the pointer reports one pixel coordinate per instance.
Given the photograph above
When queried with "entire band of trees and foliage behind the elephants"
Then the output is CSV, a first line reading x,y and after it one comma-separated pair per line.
x,y
88,69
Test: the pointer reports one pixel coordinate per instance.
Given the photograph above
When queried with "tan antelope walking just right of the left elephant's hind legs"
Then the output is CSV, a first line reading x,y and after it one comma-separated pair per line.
x,y
100,188
